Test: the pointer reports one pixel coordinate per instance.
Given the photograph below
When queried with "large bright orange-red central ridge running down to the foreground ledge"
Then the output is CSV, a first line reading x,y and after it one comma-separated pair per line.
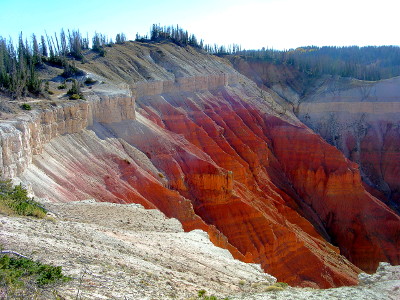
x,y
243,202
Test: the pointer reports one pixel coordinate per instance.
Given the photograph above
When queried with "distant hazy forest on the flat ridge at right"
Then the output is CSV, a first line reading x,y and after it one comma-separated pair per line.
x,y
364,63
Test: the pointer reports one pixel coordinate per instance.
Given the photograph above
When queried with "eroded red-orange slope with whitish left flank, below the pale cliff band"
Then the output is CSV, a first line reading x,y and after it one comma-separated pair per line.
x,y
269,190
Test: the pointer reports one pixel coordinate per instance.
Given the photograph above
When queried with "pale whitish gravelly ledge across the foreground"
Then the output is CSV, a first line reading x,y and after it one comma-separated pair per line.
x,y
116,251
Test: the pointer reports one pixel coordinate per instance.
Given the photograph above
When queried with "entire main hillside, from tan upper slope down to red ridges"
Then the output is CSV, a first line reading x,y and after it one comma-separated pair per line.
x,y
207,147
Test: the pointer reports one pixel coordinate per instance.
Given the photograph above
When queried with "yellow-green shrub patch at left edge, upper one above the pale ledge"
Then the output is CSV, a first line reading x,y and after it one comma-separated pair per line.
x,y
15,201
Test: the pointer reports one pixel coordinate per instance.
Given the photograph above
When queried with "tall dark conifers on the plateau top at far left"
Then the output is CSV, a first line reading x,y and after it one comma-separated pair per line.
x,y
19,62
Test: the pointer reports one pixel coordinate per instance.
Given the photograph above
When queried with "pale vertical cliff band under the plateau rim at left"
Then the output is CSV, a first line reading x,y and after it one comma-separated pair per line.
x,y
25,136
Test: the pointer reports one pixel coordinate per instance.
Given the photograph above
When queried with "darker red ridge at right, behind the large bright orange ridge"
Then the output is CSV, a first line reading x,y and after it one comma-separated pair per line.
x,y
365,230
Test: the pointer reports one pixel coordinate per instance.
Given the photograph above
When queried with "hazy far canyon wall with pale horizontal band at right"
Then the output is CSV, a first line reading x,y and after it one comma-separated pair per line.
x,y
358,117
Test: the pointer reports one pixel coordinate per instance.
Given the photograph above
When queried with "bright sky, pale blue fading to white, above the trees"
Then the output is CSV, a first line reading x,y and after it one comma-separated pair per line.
x,y
278,24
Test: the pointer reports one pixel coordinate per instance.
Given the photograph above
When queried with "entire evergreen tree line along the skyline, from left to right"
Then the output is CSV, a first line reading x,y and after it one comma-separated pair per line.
x,y
19,62
